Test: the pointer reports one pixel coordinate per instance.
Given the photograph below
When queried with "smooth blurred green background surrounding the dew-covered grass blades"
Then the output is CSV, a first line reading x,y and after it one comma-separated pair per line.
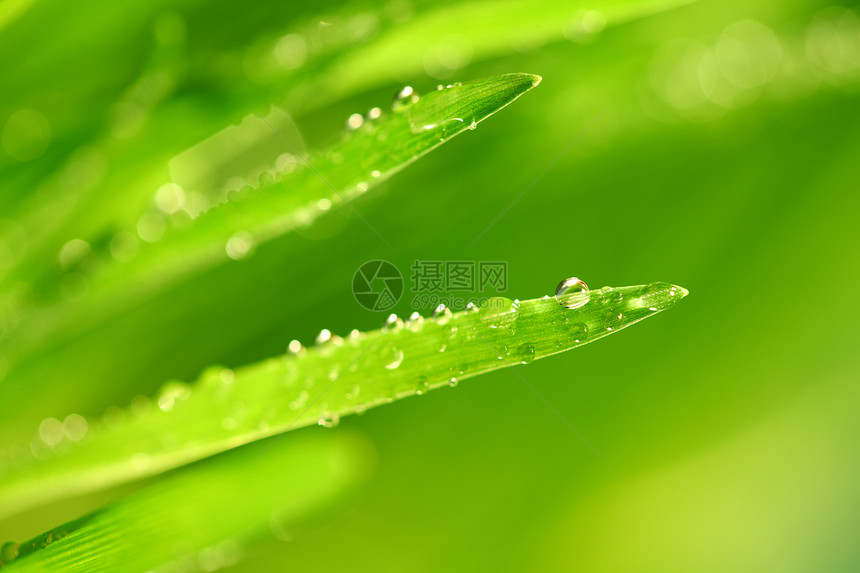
x,y
722,158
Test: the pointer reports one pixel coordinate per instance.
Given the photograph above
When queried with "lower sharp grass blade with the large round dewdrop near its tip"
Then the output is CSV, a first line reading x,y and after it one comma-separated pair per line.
x,y
317,386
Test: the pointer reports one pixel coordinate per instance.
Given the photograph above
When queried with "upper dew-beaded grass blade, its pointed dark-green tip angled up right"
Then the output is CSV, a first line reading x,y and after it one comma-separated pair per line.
x,y
370,153
